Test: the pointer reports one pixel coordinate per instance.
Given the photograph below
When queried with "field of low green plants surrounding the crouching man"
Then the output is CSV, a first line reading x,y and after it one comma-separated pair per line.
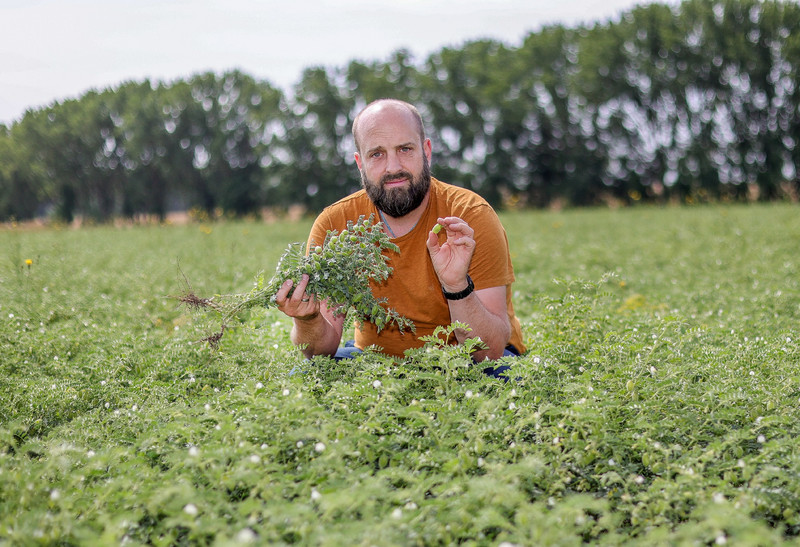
x,y
659,402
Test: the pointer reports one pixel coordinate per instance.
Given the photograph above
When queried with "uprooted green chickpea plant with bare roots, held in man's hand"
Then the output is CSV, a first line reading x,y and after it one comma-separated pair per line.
x,y
340,271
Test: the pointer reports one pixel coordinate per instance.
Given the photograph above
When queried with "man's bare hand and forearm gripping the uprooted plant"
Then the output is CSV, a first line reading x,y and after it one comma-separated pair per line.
x,y
316,328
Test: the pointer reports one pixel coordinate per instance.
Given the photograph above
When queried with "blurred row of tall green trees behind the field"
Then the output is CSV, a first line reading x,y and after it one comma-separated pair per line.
x,y
689,102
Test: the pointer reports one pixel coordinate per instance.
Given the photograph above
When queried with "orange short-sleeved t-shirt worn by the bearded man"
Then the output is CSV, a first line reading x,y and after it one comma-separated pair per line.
x,y
413,289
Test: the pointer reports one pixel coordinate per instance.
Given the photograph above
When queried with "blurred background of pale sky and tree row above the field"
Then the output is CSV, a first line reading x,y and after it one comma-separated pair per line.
x,y
151,111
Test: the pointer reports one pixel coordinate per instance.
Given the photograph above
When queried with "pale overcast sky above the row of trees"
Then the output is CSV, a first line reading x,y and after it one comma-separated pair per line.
x,y
52,50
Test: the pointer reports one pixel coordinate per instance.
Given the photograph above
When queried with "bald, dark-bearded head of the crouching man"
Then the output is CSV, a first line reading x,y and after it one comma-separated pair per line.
x,y
392,155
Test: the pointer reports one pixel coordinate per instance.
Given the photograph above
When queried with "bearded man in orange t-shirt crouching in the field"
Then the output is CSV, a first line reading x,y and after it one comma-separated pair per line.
x,y
466,277
